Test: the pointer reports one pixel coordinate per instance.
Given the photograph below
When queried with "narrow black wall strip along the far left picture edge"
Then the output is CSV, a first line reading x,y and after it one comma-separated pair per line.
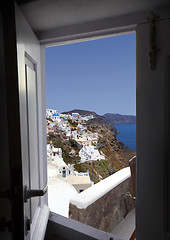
x,y
5,212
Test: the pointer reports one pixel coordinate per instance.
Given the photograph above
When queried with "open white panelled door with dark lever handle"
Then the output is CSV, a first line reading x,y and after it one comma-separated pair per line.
x,y
36,211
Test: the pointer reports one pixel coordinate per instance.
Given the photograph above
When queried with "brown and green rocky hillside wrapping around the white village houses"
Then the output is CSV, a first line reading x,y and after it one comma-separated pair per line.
x,y
116,153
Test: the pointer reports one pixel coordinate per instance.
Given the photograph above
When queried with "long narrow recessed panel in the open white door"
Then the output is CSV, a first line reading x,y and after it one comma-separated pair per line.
x,y
31,94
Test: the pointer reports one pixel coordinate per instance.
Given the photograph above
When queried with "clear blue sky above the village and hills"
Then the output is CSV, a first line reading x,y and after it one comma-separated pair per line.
x,y
98,75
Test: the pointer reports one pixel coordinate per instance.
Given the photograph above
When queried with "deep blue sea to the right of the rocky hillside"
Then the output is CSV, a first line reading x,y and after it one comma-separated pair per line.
x,y
127,135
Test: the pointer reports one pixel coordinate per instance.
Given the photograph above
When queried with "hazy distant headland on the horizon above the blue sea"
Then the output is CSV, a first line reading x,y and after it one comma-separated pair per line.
x,y
119,119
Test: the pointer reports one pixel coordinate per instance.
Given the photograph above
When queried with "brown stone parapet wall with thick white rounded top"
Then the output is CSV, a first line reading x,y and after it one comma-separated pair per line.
x,y
106,203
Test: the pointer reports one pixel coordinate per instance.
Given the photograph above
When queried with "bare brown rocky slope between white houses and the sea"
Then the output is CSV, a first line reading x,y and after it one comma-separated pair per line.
x,y
116,153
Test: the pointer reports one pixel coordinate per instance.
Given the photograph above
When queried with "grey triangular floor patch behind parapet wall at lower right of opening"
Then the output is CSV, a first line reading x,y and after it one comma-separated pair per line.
x,y
125,228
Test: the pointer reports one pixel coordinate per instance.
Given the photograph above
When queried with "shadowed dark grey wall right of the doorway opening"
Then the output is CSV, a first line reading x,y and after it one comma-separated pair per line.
x,y
151,133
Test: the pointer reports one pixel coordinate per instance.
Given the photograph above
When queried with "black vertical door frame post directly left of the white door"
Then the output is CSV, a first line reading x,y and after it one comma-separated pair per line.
x,y
17,227
